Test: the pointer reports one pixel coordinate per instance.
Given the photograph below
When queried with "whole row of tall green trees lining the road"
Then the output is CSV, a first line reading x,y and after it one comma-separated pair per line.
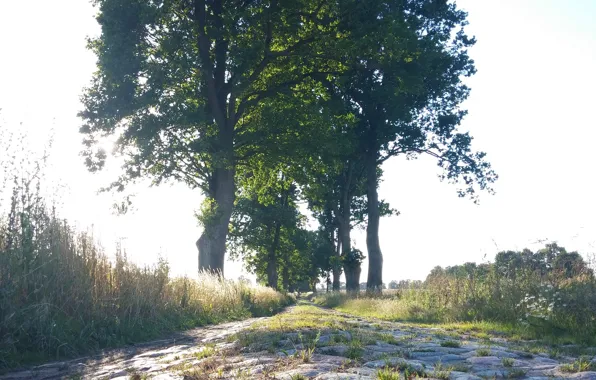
x,y
268,105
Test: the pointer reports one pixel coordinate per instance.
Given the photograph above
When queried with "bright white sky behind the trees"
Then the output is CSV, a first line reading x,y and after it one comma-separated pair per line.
x,y
531,109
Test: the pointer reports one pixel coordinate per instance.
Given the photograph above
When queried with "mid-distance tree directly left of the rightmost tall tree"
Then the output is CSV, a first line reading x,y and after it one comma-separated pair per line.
x,y
336,191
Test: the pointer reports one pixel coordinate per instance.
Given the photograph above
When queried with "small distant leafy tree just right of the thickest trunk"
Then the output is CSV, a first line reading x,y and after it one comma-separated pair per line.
x,y
268,231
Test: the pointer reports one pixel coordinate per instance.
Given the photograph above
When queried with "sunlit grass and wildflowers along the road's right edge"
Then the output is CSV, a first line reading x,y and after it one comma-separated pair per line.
x,y
549,295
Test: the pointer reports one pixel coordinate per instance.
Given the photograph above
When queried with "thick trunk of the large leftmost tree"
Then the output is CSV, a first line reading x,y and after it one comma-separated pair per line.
x,y
212,243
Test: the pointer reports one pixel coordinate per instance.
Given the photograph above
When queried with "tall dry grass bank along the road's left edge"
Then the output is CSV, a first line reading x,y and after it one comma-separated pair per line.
x,y
61,296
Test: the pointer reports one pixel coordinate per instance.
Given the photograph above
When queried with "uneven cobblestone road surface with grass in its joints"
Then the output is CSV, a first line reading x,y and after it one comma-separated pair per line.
x,y
366,350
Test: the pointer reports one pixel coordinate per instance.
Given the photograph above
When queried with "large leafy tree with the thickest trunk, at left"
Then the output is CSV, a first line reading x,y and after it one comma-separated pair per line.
x,y
189,88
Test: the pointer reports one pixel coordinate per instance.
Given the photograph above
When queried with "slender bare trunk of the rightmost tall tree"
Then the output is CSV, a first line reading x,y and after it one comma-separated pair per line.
x,y
375,257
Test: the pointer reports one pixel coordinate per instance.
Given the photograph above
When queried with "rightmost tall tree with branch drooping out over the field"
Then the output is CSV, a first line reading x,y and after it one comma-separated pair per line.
x,y
404,85
